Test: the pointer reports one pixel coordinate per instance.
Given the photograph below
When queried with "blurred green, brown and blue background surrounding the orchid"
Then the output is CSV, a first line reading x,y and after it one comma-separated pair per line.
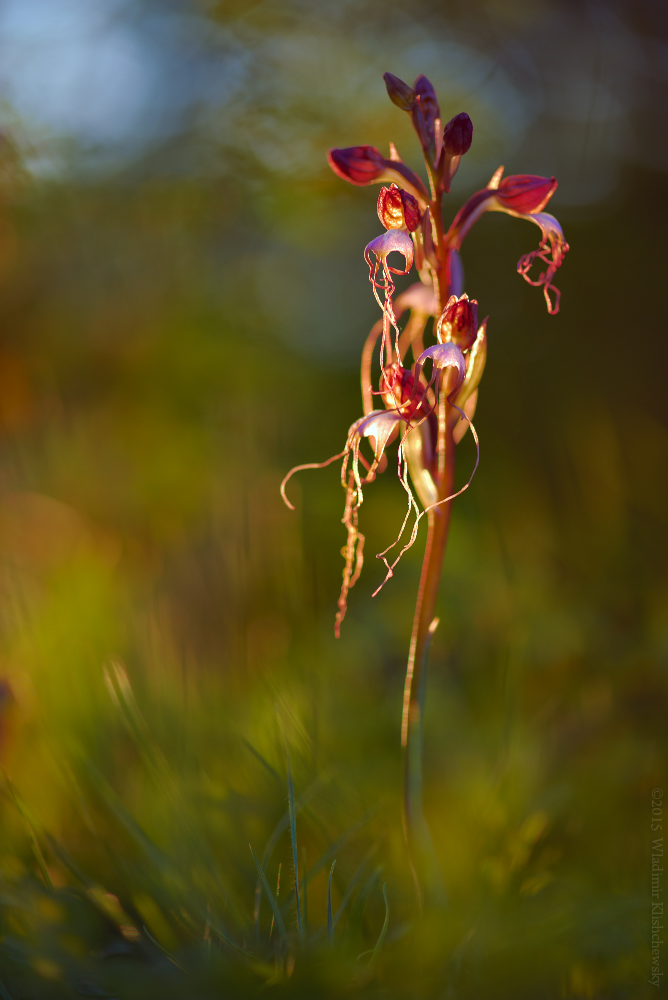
x,y
183,302
